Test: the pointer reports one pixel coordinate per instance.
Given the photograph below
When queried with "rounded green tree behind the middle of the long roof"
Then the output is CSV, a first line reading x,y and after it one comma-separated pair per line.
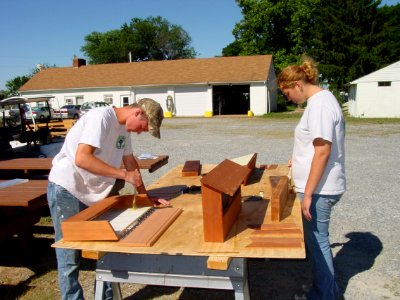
x,y
153,38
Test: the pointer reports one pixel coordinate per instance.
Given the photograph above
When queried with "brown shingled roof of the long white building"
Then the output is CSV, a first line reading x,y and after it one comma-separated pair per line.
x,y
168,72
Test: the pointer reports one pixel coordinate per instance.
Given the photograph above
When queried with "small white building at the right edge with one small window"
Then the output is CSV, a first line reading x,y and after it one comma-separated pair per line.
x,y
376,95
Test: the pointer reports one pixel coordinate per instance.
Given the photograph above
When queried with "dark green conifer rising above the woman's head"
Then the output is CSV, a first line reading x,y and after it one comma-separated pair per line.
x,y
343,40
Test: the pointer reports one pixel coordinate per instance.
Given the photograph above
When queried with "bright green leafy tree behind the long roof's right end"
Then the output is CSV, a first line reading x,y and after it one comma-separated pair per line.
x,y
281,28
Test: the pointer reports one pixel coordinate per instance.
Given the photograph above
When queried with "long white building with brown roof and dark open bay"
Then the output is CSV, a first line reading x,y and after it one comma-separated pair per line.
x,y
197,87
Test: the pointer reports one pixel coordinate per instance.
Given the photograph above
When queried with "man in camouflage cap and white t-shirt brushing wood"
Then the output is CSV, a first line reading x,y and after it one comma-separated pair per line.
x,y
87,167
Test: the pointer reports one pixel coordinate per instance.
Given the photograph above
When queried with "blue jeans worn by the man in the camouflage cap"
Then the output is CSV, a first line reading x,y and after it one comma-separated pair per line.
x,y
63,205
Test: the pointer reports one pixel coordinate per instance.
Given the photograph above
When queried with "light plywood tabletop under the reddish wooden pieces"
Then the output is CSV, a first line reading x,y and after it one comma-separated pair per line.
x,y
189,225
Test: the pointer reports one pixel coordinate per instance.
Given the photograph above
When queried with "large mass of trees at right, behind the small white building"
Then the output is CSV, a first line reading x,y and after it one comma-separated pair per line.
x,y
347,38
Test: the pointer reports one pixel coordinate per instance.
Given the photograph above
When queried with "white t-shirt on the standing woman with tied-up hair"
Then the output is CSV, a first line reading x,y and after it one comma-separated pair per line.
x,y
322,118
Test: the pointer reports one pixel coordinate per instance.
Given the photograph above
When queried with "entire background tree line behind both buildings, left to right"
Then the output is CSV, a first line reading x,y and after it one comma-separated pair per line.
x,y
348,38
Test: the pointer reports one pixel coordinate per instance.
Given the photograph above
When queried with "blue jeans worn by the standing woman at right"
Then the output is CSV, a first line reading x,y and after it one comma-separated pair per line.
x,y
316,233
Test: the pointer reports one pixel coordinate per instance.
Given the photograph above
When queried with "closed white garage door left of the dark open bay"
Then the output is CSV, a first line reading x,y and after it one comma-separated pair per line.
x,y
190,101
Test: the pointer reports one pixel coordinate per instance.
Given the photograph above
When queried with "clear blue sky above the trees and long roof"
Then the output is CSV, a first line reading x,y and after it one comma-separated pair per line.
x,y
48,31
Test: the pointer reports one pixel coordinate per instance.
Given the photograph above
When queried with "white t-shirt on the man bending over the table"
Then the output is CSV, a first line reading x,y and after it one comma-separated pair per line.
x,y
99,128
